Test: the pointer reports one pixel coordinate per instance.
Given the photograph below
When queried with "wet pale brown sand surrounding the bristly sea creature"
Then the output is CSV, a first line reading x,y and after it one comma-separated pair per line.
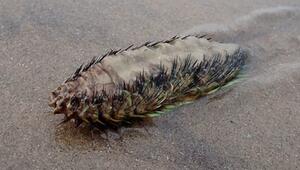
x,y
254,126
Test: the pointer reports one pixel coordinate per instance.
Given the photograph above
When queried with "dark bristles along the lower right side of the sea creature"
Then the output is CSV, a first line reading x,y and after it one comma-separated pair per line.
x,y
156,92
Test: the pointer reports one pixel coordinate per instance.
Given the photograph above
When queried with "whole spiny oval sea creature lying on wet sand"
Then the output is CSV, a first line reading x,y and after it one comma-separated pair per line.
x,y
116,89
